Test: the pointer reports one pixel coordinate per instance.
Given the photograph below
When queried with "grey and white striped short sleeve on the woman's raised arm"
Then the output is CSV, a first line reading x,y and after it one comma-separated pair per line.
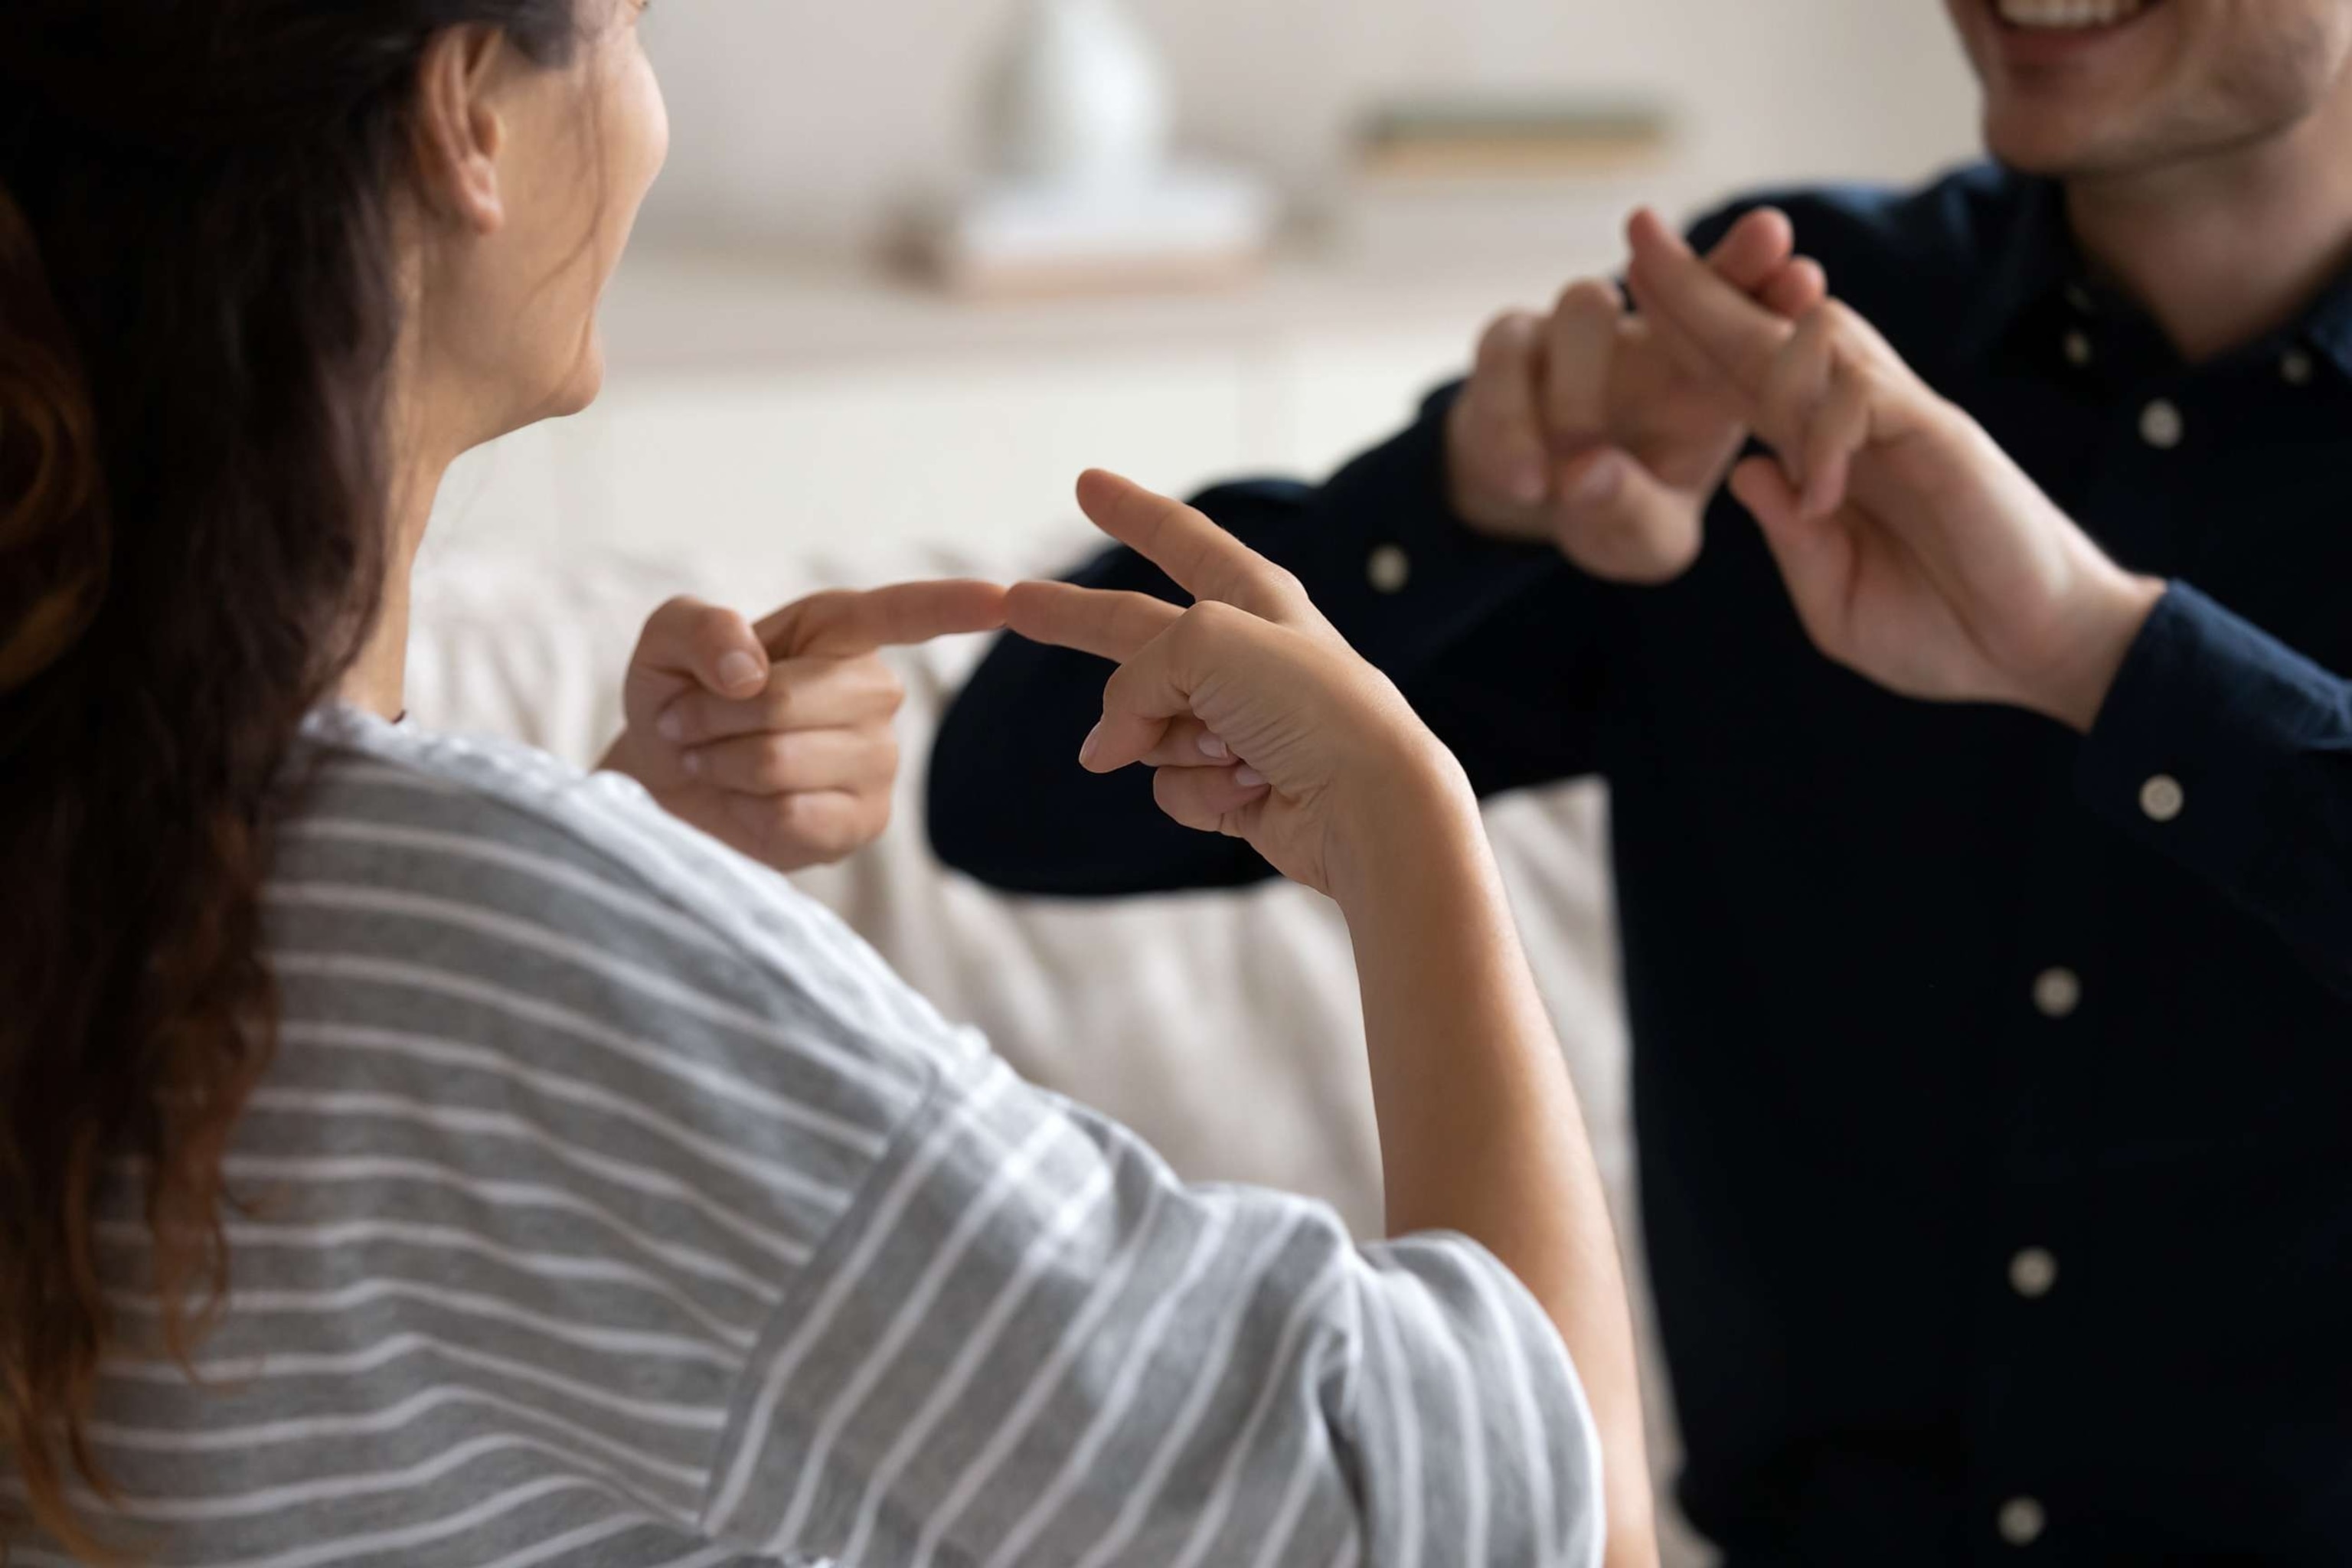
x,y
1029,1343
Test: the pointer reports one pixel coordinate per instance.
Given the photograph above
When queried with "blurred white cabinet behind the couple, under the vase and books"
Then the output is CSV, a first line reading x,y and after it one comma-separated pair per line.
x,y
773,408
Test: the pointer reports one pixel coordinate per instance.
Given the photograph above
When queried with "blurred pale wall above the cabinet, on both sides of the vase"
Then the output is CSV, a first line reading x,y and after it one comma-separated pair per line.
x,y
801,119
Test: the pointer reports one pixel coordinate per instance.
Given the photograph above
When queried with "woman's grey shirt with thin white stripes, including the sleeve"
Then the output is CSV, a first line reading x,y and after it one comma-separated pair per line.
x,y
610,1202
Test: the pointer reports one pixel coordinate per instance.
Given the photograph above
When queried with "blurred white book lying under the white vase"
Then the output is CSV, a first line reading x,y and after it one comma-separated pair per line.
x,y
1189,227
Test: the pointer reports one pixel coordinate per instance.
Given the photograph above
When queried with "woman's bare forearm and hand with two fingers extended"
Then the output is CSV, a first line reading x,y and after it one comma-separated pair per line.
x,y
1262,723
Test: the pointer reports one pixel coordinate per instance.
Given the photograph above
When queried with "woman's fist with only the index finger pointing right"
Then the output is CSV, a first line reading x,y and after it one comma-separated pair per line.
x,y
777,737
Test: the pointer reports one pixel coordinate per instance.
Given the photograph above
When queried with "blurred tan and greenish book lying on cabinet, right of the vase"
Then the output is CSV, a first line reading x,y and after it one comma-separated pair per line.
x,y
1483,140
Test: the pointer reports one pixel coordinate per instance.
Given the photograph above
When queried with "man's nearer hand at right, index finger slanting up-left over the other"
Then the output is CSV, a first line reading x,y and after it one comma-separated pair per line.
x,y
1913,547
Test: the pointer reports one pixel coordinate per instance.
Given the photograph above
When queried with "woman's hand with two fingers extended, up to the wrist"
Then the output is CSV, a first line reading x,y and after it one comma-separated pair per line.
x,y
1255,713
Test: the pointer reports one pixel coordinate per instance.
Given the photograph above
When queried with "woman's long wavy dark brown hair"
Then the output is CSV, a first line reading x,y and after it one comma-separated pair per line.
x,y
199,309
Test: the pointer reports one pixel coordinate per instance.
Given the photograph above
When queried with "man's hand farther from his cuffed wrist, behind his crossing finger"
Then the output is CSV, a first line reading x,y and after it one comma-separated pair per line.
x,y
1584,431
